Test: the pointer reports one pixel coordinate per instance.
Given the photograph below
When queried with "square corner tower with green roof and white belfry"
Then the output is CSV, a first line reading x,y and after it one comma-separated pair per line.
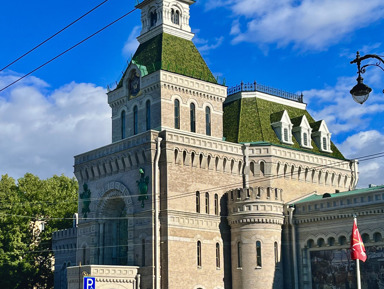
x,y
167,84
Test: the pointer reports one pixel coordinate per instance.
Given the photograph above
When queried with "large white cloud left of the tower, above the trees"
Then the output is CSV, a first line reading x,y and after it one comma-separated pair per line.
x,y
42,130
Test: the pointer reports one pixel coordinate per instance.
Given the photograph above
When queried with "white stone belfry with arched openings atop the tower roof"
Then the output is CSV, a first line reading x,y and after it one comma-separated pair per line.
x,y
165,16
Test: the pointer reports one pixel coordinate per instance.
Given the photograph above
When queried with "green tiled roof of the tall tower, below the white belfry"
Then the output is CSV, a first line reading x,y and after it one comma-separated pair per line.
x,y
173,54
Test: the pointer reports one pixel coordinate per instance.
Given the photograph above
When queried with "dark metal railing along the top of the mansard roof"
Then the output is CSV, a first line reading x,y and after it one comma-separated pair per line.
x,y
265,89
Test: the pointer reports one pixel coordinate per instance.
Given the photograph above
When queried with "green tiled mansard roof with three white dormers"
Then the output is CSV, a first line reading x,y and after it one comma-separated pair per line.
x,y
248,120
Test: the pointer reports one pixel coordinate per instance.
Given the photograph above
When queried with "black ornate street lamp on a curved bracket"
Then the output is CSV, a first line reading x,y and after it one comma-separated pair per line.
x,y
360,92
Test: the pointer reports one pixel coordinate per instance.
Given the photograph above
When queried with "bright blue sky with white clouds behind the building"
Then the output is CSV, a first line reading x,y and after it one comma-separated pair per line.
x,y
298,46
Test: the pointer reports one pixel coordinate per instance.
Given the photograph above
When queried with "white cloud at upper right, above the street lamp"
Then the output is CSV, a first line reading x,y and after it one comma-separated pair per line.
x,y
304,24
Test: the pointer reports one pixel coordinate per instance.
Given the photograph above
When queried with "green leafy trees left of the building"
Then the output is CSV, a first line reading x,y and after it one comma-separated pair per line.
x,y
26,257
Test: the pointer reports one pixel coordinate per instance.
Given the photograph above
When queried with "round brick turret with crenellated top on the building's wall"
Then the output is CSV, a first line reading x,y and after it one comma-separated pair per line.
x,y
255,216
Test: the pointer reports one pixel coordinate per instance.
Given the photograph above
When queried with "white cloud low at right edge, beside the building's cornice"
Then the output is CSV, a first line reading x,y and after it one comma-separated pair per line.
x,y
362,144
